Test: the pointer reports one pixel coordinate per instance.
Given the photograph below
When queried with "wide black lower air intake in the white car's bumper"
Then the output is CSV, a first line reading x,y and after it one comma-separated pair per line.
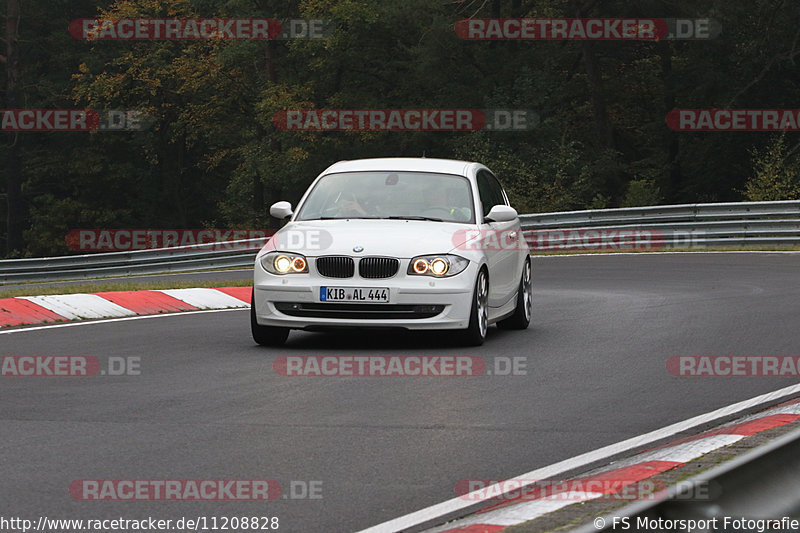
x,y
358,311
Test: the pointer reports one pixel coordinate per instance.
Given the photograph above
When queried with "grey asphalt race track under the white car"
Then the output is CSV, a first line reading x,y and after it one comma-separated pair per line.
x,y
208,403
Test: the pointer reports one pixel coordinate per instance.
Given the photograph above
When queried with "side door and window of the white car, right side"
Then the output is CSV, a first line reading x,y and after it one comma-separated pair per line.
x,y
501,241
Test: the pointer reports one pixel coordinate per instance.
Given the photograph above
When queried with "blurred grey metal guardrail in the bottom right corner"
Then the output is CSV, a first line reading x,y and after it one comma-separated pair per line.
x,y
759,485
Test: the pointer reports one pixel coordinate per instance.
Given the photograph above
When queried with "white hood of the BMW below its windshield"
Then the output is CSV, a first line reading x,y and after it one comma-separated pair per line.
x,y
393,238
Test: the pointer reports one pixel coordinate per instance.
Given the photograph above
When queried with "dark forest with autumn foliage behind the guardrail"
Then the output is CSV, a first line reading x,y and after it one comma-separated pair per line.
x,y
214,155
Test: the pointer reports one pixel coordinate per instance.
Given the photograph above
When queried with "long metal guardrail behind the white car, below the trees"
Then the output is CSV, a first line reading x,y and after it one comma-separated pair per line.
x,y
637,228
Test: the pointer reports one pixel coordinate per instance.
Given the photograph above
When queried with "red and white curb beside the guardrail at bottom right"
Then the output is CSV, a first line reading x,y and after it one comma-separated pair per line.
x,y
614,478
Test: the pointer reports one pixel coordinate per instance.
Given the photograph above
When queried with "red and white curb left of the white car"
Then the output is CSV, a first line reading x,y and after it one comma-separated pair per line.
x,y
26,310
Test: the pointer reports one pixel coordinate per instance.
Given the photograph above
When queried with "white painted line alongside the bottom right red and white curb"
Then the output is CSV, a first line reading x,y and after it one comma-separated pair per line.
x,y
435,512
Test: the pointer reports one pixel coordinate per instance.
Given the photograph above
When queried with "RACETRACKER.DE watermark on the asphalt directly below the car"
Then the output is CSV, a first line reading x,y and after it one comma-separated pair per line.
x,y
437,366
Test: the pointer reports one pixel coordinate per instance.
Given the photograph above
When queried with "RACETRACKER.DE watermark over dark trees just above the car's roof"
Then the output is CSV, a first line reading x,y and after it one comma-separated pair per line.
x,y
315,120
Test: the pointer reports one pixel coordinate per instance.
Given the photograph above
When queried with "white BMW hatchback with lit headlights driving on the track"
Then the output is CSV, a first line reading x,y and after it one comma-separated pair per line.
x,y
409,243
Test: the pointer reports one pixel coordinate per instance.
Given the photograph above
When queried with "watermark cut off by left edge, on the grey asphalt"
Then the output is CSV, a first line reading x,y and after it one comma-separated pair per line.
x,y
68,366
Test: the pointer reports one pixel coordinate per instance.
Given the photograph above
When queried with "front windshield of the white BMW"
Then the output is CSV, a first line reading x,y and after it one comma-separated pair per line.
x,y
390,195
